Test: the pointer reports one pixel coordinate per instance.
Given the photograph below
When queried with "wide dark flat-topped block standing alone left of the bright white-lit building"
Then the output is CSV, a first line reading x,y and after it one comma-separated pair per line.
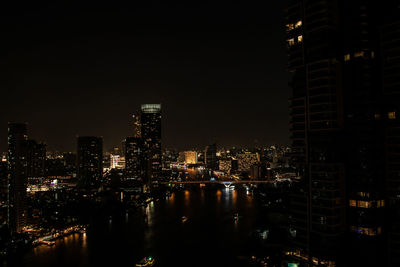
x,y
89,160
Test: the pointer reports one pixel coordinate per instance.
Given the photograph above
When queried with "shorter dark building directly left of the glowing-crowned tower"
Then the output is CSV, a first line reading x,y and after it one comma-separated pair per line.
x,y
133,158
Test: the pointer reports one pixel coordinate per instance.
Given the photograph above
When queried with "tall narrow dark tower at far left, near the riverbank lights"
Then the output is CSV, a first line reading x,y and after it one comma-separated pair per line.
x,y
17,175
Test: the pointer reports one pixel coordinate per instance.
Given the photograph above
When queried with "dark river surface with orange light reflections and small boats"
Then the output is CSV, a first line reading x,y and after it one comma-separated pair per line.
x,y
210,236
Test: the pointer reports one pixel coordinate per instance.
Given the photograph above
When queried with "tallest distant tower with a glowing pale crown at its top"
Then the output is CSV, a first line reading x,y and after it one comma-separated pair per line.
x,y
150,119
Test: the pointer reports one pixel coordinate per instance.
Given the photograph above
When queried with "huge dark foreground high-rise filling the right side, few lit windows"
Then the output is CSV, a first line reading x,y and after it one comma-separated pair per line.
x,y
342,57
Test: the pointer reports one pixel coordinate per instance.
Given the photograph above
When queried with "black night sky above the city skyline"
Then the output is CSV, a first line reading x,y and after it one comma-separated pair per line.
x,y
218,68
